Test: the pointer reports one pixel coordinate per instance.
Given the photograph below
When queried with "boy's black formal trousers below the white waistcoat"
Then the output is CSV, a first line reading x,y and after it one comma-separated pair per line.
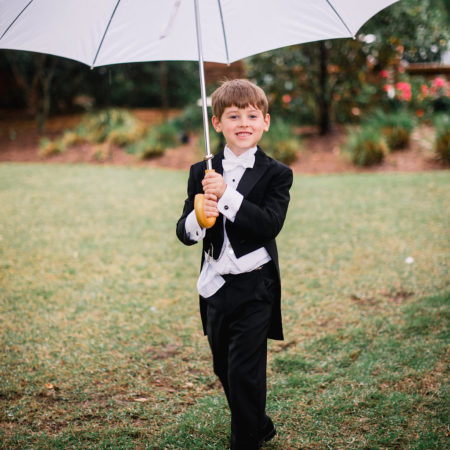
x,y
238,322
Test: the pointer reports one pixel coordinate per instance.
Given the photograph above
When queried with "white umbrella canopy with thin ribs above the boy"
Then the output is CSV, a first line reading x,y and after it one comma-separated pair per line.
x,y
105,32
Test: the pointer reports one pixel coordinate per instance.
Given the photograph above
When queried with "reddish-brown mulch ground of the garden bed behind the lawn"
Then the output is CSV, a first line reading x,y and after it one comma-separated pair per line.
x,y
19,142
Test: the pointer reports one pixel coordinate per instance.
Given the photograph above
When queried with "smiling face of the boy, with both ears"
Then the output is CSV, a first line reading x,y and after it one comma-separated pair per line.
x,y
242,127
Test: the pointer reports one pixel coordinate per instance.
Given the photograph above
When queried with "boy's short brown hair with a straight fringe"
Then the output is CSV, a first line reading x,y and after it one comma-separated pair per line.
x,y
240,93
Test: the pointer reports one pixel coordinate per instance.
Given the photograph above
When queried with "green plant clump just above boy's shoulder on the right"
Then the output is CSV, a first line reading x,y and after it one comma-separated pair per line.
x,y
281,142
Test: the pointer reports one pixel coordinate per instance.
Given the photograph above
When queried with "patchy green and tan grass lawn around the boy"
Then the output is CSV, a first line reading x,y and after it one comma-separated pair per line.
x,y
100,336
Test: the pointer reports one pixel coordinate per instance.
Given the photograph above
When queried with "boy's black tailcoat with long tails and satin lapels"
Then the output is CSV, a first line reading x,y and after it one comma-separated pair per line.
x,y
265,189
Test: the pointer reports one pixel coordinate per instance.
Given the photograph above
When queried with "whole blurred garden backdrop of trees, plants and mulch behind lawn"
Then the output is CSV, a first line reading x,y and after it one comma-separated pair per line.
x,y
393,77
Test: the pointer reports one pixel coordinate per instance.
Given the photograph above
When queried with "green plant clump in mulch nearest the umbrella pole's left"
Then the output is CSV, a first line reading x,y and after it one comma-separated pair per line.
x,y
156,141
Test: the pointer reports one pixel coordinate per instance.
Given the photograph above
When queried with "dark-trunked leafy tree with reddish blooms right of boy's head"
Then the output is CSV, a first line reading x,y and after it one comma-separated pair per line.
x,y
328,81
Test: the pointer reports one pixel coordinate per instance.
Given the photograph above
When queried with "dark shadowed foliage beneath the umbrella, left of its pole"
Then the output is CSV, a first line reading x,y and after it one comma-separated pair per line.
x,y
44,81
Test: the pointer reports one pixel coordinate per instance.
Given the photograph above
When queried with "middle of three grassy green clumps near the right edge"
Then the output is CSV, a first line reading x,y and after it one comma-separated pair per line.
x,y
395,127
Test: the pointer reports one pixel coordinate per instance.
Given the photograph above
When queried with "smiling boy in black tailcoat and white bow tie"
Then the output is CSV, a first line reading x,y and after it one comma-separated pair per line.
x,y
239,283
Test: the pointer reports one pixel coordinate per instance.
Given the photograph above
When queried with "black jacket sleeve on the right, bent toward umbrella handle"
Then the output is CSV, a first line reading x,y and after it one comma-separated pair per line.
x,y
265,219
